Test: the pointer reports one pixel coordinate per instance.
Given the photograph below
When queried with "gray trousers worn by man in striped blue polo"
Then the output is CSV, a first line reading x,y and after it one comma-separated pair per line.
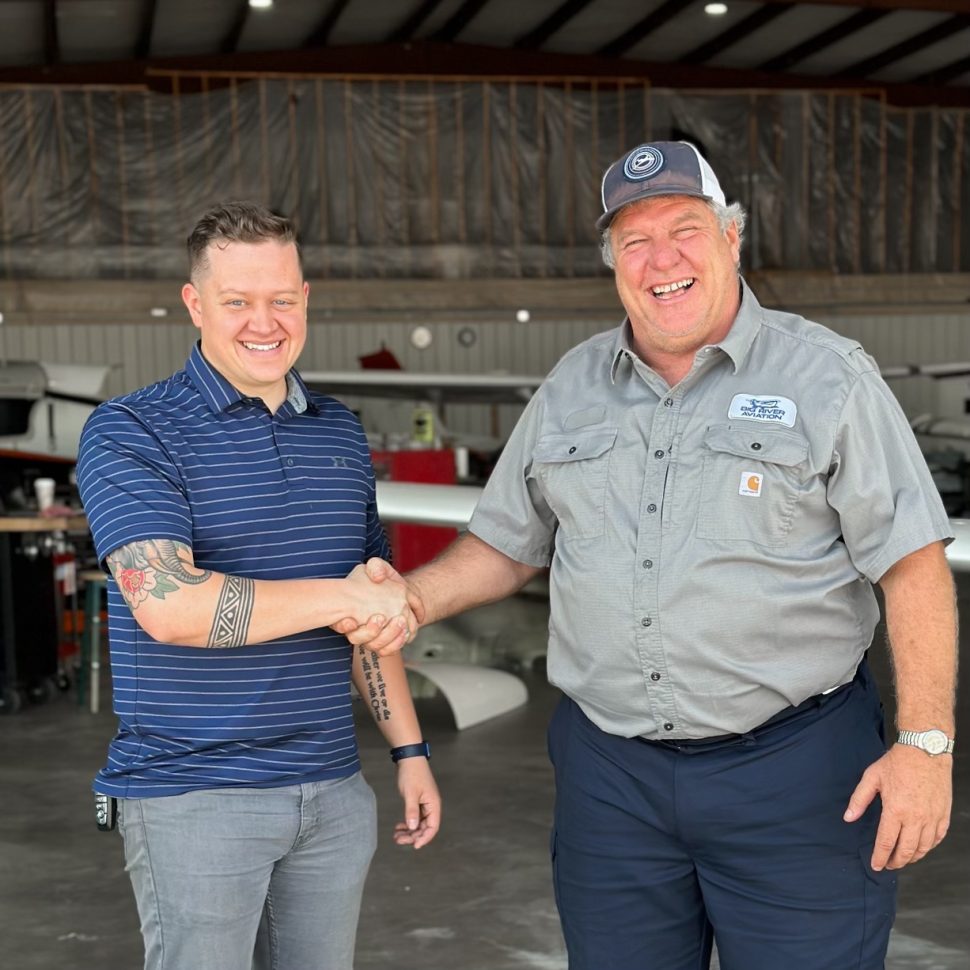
x,y
241,878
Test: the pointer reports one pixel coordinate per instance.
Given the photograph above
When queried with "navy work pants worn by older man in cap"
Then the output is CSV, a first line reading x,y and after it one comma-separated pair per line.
x,y
661,848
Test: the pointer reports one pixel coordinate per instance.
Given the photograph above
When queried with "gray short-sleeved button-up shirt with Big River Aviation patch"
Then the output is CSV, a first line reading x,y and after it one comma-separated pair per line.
x,y
712,545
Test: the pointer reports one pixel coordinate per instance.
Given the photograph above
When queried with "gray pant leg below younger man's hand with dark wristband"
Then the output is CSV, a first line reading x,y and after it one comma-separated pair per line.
x,y
313,903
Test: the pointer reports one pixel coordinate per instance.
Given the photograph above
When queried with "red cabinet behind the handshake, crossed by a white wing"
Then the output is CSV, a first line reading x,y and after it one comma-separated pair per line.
x,y
414,545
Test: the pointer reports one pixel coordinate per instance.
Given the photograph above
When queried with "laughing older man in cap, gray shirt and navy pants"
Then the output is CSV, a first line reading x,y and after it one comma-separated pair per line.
x,y
716,488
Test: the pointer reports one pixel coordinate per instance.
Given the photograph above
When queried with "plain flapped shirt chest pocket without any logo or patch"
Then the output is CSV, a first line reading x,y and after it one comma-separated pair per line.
x,y
572,470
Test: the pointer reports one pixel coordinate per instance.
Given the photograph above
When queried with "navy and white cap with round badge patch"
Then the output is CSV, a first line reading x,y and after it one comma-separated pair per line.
x,y
658,168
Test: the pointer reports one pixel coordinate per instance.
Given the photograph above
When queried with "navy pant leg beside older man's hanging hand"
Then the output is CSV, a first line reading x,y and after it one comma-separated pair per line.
x,y
786,882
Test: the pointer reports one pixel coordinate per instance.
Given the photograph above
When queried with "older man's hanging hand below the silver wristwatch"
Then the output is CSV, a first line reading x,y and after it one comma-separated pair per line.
x,y
917,795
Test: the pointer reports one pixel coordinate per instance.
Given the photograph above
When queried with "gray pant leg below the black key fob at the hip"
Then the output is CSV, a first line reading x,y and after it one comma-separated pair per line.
x,y
200,866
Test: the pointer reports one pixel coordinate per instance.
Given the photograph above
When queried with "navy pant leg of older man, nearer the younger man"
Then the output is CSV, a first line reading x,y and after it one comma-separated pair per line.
x,y
625,884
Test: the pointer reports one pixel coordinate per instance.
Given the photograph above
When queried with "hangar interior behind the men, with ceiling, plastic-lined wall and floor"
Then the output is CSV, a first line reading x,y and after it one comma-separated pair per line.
x,y
442,162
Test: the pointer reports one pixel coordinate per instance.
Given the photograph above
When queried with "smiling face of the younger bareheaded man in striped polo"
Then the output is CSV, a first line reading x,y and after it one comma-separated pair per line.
x,y
249,301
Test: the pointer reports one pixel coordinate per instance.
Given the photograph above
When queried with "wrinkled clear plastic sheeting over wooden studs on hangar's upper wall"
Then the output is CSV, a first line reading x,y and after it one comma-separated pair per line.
x,y
460,179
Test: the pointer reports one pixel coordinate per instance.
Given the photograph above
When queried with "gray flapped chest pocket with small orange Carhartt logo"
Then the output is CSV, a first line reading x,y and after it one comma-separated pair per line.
x,y
751,482
